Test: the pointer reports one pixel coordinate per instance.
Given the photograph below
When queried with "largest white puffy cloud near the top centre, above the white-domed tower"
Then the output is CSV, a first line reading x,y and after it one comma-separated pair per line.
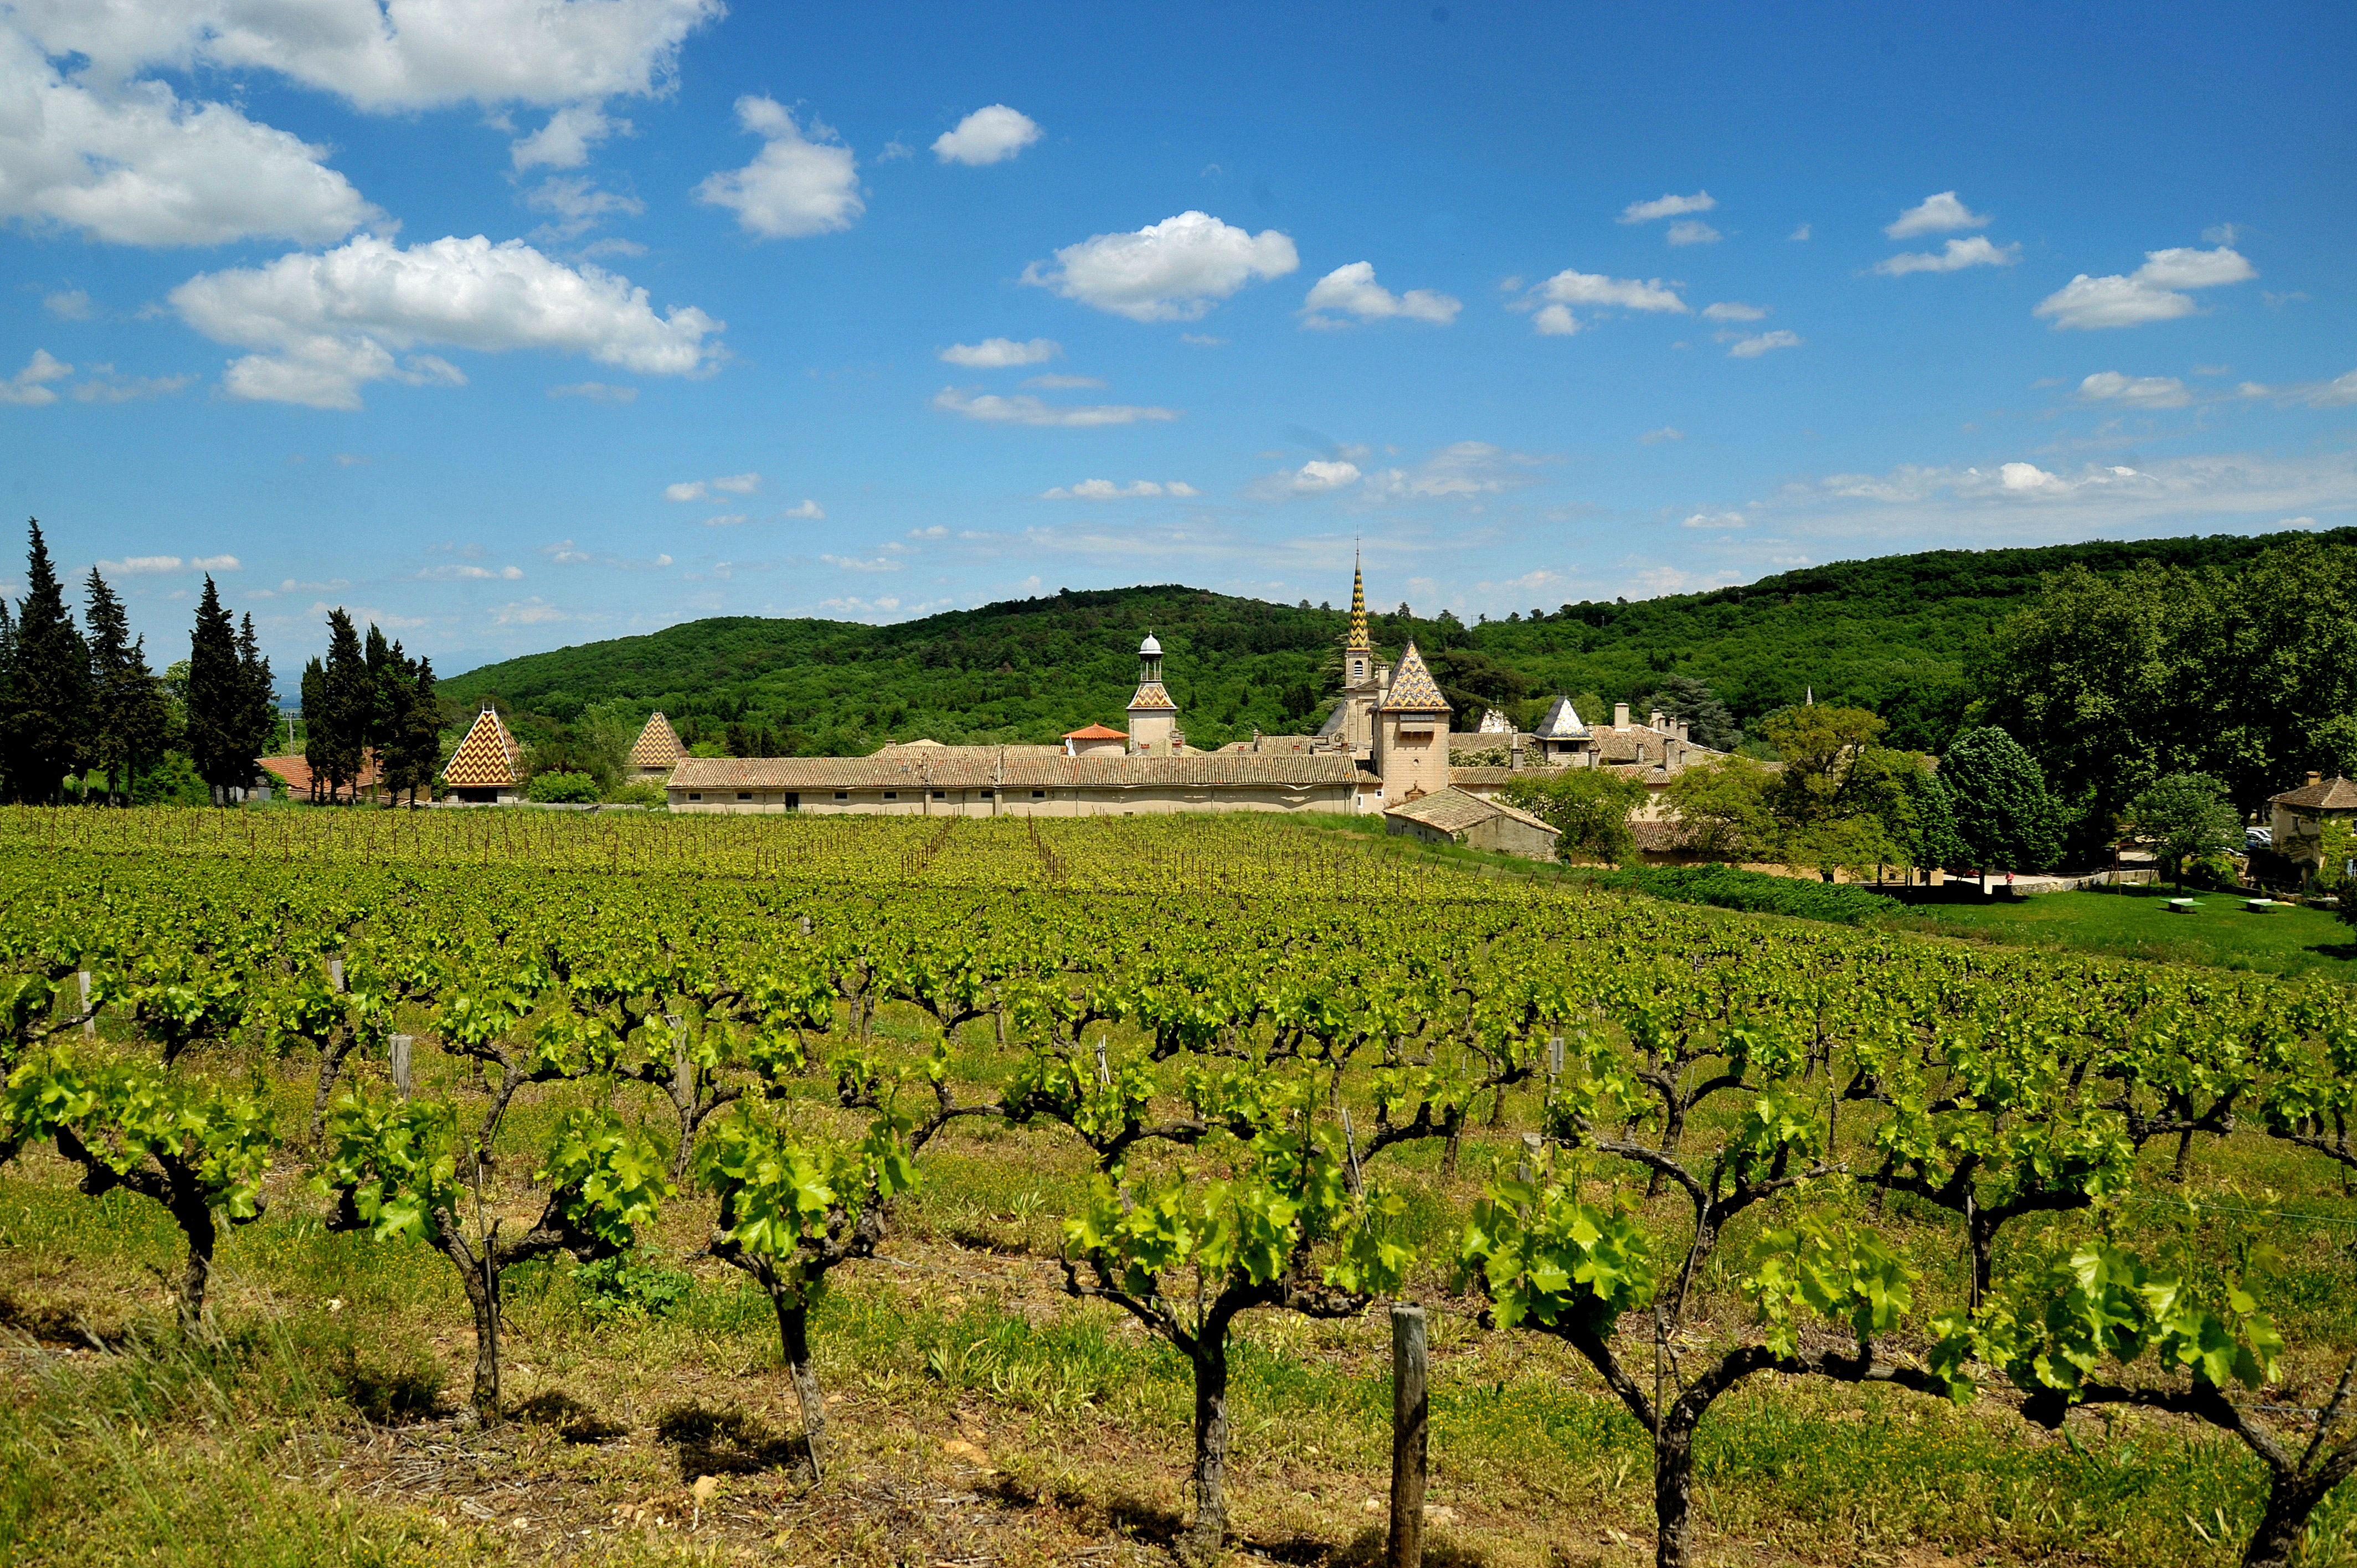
x,y
1175,270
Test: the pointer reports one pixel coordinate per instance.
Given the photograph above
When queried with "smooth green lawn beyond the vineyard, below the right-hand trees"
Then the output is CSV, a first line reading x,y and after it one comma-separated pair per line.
x,y
2137,923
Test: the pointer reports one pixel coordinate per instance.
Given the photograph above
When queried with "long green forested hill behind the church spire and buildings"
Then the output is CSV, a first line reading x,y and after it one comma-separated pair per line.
x,y
1896,635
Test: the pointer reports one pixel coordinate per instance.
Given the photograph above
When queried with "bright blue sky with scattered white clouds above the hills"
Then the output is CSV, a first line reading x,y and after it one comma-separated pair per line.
x,y
517,324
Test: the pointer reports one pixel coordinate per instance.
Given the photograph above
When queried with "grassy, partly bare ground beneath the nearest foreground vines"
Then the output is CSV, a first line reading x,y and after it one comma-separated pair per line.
x,y
982,1416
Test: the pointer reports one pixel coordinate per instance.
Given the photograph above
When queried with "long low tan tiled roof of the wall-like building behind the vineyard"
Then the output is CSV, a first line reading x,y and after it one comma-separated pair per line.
x,y
1015,767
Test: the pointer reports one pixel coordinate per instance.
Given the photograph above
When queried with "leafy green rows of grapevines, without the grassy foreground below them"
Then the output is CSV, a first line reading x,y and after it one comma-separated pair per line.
x,y
1882,1161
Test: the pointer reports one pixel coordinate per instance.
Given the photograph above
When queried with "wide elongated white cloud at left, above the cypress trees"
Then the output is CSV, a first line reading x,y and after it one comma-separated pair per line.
x,y
322,327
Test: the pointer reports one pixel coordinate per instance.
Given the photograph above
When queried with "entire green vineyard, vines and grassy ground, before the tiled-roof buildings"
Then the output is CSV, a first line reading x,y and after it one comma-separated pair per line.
x,y
527,1187
